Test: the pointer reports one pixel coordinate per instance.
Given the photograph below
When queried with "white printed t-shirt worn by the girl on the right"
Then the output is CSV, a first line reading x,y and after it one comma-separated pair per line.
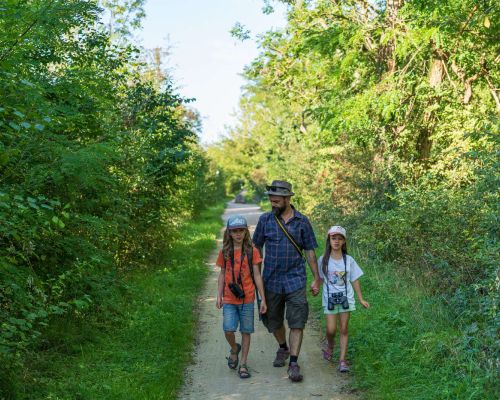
x,y
335,279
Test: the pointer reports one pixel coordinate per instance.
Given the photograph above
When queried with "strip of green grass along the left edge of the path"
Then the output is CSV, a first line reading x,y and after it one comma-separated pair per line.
x,y
144,353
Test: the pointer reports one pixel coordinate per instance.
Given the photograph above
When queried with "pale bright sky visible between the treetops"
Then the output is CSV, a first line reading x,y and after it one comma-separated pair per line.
x,y
205,61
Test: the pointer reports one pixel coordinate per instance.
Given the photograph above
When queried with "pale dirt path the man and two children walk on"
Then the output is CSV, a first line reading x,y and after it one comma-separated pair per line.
x,y
210,378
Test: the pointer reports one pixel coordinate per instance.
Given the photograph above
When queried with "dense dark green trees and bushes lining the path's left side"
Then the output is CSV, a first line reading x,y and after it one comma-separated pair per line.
x,y
99,167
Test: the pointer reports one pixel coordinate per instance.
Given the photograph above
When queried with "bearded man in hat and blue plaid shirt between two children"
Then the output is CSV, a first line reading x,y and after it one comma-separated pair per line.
x,y
285,274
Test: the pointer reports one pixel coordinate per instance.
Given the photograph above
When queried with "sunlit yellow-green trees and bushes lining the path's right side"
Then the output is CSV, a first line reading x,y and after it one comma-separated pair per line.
x,y
384,116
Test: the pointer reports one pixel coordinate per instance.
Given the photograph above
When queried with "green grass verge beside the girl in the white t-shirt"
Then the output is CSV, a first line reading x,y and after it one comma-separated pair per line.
x,y
407,345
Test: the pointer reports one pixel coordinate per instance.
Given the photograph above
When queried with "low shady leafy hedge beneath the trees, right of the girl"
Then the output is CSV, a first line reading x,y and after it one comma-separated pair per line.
x,y
446,239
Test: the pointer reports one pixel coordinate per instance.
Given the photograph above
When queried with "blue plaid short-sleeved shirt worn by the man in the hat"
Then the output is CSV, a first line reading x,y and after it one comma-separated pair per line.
x,y
284,269
